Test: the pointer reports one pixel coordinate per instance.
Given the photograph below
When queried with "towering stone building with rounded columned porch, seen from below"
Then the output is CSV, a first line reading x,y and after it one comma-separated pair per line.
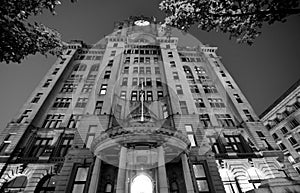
x,y
140,111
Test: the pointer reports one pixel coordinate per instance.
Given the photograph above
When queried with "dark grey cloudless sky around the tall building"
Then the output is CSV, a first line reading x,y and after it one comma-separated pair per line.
x,y
263,71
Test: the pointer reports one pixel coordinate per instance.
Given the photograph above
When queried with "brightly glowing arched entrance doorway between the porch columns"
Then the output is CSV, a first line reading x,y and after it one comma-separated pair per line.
x,y
141,184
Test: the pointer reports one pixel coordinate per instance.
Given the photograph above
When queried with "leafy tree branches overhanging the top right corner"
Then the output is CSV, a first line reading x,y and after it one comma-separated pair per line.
x,y
242,19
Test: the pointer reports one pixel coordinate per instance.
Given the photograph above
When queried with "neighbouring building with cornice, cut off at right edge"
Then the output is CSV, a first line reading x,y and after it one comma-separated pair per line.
x,y
282,119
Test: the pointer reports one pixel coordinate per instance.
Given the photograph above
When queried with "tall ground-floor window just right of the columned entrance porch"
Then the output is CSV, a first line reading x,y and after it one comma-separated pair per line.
x,y
201,178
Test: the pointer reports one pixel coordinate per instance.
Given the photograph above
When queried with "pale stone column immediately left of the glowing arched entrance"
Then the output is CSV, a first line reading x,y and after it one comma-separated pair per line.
x,y
122,171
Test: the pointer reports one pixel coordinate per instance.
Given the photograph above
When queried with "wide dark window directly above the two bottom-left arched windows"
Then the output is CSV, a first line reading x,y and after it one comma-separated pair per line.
x,y
41,147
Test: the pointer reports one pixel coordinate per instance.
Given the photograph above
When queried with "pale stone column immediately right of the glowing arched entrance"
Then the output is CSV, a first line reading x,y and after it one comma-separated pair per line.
x,y
162,174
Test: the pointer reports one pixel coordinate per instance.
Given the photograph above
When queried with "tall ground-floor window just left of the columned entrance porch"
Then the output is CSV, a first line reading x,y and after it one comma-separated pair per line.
x,y
79,182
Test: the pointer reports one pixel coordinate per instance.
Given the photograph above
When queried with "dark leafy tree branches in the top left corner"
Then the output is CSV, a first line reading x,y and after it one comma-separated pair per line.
x,y
19,38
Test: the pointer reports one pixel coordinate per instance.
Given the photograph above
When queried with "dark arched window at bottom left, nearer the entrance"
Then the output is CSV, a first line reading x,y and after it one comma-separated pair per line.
x,y
46,185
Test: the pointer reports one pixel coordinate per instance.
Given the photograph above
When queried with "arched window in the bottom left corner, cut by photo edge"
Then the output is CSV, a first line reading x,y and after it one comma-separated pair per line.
x,y
16,185
